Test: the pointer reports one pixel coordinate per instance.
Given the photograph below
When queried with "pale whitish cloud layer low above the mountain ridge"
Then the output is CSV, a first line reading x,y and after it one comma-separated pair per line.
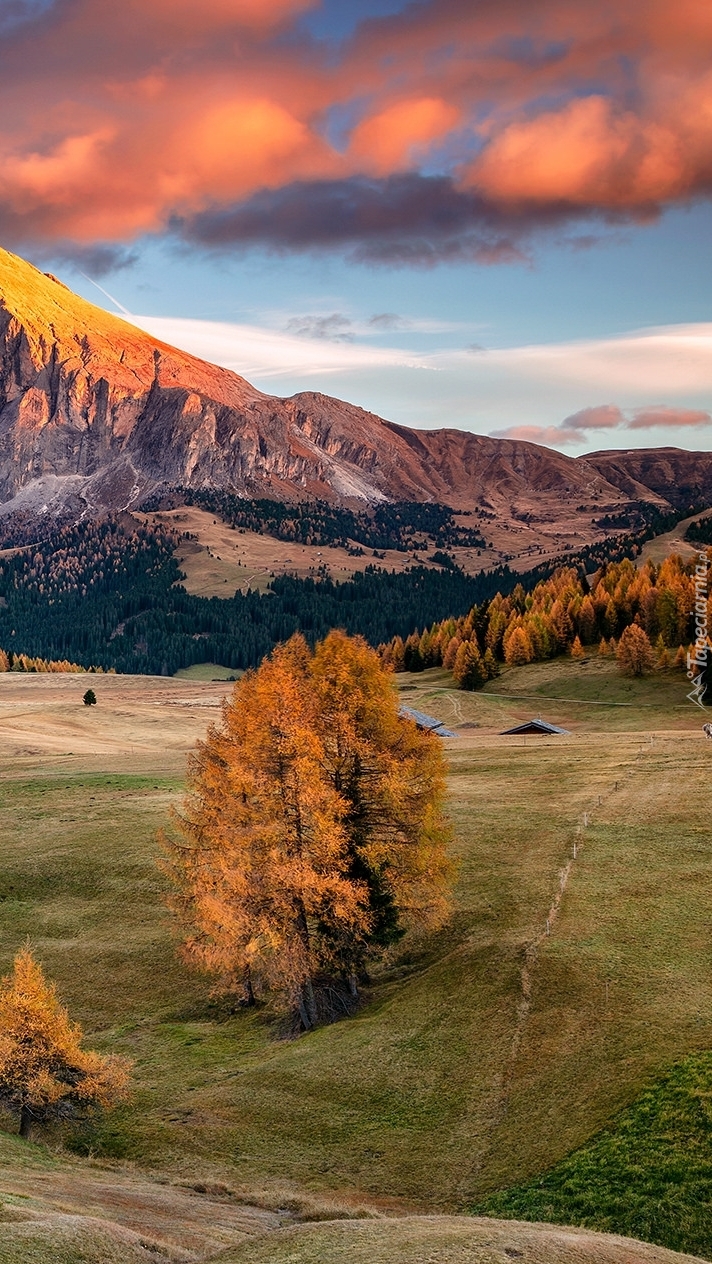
x,y
661,379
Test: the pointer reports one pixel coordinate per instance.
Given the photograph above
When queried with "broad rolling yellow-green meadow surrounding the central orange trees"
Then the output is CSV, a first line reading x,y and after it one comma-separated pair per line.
x,y
488,1055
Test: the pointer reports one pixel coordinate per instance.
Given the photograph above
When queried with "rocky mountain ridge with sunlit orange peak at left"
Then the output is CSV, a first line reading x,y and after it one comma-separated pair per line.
x,y
97,415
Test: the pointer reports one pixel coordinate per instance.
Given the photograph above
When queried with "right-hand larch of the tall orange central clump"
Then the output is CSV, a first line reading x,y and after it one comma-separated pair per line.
x,y
391,777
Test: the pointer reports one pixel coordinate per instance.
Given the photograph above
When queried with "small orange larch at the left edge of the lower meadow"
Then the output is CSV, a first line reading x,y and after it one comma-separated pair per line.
x,y
45,1073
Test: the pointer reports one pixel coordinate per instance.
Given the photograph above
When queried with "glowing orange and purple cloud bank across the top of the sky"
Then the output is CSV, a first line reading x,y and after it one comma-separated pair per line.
x,y
447,131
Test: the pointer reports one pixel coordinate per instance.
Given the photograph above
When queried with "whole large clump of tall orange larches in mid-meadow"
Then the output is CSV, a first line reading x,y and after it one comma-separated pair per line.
x,y
313,831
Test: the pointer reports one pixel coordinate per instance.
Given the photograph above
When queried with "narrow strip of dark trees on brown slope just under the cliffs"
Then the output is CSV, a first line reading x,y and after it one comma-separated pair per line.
x,y
317,523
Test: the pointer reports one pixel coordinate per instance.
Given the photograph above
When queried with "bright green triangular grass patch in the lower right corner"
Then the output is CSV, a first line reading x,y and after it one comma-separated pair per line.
x,y
649,1175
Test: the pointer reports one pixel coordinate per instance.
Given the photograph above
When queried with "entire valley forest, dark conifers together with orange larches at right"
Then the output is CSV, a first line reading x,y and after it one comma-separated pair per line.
x,y
108,595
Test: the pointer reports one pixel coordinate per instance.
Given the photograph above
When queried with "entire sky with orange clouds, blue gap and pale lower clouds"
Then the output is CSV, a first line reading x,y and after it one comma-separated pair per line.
x,y
484,214
